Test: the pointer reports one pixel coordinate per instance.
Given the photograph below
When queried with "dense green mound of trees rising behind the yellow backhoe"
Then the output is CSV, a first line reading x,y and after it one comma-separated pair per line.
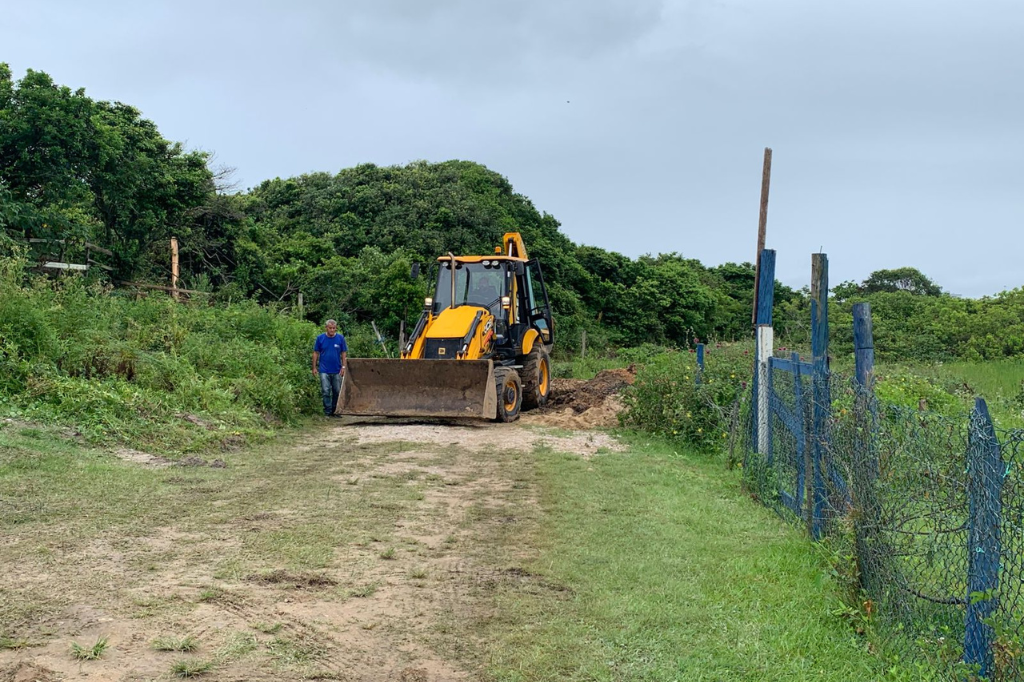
x,y
349,241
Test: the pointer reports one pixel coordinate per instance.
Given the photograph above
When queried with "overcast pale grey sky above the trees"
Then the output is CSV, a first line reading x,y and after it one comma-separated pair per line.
x,y
898,127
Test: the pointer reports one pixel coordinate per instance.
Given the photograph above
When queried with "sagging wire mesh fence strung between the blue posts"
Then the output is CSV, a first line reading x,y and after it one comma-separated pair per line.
x,y
908,495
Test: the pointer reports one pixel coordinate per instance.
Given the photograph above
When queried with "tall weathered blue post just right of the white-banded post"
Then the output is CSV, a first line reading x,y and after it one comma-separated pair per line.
x,y
823,396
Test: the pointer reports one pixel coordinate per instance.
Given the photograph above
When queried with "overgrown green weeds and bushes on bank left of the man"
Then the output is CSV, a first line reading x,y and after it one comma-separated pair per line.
x,y
177,375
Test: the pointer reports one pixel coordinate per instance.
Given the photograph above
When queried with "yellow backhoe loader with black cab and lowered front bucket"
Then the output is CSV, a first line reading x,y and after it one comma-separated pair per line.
x,y
481,348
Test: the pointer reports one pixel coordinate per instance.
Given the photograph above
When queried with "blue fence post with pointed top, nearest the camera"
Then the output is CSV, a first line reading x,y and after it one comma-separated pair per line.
x,y
985,488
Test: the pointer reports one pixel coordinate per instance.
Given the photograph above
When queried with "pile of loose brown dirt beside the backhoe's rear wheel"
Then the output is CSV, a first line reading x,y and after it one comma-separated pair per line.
x,y
579,404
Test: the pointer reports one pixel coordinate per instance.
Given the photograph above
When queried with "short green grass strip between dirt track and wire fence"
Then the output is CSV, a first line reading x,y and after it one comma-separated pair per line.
x,y
656,568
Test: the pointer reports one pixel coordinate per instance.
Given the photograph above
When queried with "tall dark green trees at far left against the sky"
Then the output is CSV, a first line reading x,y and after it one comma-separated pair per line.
x,y
76,170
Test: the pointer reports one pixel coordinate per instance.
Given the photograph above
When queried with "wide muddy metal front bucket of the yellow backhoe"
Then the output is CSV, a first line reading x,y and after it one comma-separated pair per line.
x,y
419,389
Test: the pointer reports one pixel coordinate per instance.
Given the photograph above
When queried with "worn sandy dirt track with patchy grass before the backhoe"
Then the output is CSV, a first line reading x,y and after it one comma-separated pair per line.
x,y
363,550
